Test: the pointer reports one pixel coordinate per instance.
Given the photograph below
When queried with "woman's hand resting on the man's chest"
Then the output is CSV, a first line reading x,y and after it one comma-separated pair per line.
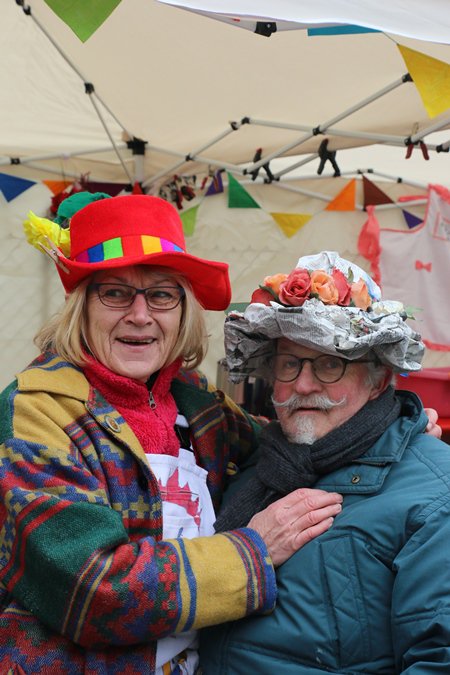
x,y
292,521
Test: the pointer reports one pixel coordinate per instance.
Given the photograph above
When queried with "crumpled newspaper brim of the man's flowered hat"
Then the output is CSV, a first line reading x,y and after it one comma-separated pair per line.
x,y
347,332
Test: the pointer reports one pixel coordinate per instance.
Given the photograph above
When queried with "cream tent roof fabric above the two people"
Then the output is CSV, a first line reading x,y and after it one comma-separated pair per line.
x,y
200,94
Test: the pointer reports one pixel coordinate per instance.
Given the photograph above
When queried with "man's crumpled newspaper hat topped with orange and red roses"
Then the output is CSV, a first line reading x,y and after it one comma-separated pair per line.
x,y
328,304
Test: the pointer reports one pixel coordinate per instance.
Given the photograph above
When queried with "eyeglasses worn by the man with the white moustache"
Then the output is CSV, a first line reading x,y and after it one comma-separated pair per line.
x,y
327,369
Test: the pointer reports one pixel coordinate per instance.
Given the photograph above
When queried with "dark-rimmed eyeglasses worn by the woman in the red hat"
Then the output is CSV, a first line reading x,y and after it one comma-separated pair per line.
x,y
121,296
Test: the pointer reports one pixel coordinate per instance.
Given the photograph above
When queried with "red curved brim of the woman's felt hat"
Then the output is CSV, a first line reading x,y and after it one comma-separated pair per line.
x,y
209,279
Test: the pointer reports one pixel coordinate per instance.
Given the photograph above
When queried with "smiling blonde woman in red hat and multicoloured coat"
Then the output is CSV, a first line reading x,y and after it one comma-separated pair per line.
x,y
114,456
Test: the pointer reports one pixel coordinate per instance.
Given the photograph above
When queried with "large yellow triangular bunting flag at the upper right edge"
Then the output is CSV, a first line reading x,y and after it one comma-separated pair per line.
x,y
431,77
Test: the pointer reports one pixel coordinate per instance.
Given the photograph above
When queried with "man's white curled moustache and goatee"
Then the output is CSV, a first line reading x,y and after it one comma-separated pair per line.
x,y
304,428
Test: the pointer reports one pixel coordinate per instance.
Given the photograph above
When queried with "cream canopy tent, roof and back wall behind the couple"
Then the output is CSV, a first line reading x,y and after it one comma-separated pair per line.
x,y
197,96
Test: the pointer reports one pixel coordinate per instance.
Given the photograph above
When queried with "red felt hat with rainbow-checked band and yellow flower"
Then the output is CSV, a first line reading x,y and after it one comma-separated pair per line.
x,y
122,231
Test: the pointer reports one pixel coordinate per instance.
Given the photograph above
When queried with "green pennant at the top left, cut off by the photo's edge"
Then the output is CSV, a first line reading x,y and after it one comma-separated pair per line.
x,y
83,17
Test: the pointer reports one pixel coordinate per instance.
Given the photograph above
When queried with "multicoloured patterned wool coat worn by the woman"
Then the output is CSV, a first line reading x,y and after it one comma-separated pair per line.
x,y
86,583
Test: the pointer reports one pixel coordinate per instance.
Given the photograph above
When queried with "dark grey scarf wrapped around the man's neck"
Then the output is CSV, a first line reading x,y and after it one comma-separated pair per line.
x,y
283,466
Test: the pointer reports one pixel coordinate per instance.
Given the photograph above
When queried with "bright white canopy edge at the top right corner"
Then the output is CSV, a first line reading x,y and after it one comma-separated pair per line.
x,y
410,18
